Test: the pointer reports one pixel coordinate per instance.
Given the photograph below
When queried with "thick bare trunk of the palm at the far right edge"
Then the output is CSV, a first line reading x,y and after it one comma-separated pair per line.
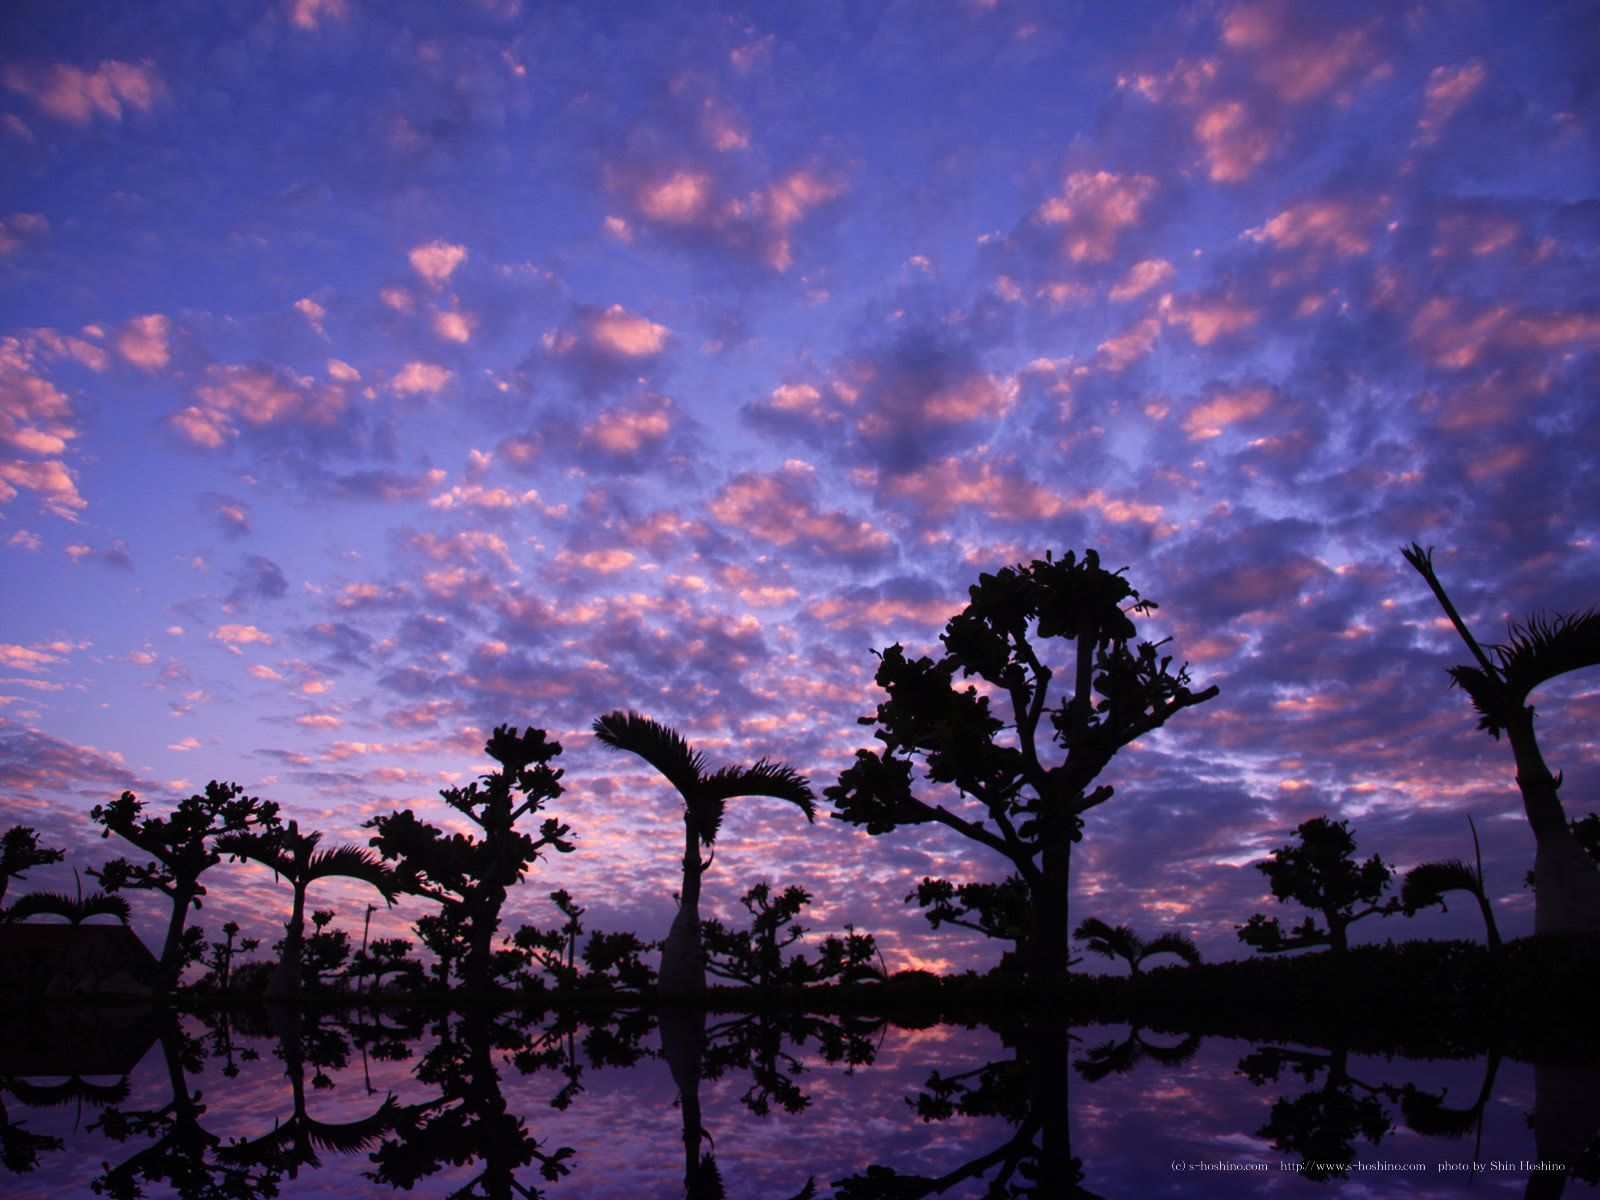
x,y
1567,881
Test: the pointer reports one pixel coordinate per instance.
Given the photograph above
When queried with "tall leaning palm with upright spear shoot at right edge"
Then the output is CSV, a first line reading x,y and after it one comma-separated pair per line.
x,y
1567,897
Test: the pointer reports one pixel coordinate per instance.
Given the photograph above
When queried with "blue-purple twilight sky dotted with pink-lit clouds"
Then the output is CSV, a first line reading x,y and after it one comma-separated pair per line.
x,y
375,375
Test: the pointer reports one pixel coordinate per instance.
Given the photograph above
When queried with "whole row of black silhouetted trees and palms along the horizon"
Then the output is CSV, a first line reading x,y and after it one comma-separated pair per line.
x,y
1009,762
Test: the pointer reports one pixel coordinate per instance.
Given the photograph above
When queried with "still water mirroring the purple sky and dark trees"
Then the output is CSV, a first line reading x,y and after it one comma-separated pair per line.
x,y
783,1106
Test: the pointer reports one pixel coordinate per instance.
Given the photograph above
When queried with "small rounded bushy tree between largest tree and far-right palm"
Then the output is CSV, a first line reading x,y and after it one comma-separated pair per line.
x,y
1321,874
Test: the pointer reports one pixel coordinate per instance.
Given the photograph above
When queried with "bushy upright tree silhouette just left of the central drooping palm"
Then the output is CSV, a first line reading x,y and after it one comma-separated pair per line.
x,y
470,878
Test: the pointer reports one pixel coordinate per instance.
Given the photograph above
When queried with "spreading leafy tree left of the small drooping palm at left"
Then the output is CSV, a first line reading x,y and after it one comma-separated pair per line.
x,y
183,847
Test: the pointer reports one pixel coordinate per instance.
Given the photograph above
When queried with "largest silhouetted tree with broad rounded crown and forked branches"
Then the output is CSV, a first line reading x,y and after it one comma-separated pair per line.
x,y
1026,810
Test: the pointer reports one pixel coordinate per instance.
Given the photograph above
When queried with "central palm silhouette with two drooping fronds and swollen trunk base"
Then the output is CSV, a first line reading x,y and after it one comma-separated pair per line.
x,y
705,799
